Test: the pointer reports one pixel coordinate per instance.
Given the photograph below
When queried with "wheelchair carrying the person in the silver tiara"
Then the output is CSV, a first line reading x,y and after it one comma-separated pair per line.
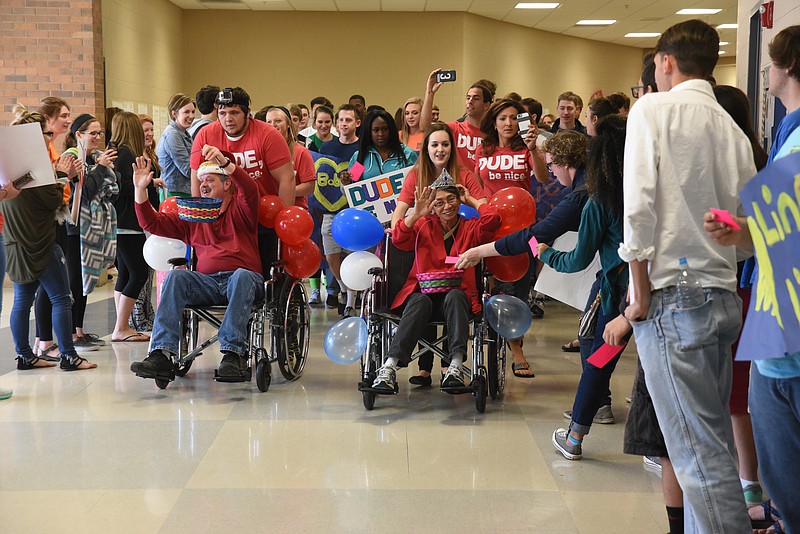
x,y
486,373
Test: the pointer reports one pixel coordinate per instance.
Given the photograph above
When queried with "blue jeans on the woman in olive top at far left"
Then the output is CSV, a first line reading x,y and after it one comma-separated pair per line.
x,y
55,282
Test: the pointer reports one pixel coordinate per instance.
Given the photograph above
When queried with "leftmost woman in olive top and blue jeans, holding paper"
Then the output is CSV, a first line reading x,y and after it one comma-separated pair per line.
x,y
35,259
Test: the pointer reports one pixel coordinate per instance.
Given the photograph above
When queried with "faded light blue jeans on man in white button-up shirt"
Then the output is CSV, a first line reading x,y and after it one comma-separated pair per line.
x,y
686,356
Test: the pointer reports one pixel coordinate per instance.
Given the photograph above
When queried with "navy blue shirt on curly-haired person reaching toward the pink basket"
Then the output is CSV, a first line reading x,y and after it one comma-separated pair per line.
x,y
565,217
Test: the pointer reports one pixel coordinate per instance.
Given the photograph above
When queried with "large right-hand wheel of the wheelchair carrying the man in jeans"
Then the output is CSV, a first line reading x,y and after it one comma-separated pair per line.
x,y
295,326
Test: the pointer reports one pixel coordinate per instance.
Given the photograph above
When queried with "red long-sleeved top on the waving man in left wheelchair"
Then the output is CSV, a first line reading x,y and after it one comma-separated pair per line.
x,y
226,244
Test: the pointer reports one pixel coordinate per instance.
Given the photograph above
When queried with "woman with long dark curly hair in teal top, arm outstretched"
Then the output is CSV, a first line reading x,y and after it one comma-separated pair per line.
x,y
600,231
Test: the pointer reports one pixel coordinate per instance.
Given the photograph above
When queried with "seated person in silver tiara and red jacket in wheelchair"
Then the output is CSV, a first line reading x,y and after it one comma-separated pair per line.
x,y
437,233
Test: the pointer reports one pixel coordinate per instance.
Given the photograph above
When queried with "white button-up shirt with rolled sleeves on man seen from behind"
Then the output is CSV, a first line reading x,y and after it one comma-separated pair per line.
x,y
684,154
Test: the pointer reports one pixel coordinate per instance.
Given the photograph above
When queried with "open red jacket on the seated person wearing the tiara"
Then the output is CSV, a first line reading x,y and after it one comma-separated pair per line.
x,y
431,252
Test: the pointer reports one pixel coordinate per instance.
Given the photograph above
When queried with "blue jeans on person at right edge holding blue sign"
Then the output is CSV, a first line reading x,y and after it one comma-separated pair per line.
x,y
775,411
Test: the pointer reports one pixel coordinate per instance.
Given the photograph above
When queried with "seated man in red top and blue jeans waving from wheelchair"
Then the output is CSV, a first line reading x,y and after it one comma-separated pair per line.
x,y
228,270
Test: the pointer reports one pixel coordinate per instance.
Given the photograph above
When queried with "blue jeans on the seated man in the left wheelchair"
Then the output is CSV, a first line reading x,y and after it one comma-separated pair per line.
x,y
237,289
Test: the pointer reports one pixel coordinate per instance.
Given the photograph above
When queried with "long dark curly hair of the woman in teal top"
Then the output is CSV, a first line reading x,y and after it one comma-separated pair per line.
x,y
604,163
